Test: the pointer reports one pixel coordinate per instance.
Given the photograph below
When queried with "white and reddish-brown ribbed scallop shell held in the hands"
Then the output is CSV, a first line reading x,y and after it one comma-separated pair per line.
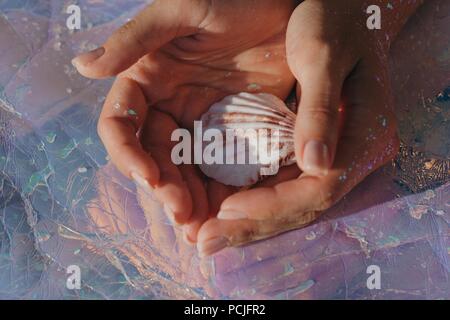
x,y
269,117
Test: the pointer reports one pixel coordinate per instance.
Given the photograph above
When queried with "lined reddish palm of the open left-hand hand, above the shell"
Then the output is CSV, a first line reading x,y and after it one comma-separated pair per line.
x,y
190,73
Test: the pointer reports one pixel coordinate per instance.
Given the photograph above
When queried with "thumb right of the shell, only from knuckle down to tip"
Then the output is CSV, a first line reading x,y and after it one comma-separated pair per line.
x,y
318,120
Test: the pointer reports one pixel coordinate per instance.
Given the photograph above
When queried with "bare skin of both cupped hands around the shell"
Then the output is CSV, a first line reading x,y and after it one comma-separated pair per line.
x,y
179,62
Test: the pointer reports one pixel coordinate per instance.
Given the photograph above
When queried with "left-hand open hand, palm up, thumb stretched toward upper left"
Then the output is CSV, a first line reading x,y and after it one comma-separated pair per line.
x,y
173,61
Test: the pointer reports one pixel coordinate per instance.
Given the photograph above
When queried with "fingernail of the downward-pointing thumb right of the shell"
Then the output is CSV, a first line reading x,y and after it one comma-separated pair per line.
x,y
316,158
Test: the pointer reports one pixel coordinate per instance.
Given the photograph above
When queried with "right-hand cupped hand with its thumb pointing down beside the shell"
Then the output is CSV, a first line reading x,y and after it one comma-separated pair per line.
x,y
345,127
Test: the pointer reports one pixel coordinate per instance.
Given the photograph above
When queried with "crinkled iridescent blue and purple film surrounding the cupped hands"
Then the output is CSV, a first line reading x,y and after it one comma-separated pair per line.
x,y
63,204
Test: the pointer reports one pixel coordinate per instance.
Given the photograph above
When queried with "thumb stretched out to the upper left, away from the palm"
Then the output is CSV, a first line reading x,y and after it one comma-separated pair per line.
x,y
153,27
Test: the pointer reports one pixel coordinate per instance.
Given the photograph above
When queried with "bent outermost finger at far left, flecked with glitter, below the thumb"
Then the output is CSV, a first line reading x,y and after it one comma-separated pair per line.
x,y
122,116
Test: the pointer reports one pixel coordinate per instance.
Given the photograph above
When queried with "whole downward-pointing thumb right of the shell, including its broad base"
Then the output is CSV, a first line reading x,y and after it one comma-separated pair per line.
x,y
320,66
